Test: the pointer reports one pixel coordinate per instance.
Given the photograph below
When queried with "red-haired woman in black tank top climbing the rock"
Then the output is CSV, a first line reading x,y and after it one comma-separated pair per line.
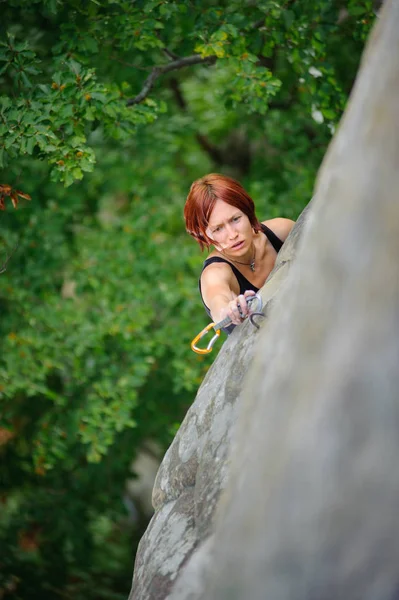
x,y
219,213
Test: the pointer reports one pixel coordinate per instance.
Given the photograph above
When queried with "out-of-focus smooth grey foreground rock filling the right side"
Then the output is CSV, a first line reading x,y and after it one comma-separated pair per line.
x,y
317,517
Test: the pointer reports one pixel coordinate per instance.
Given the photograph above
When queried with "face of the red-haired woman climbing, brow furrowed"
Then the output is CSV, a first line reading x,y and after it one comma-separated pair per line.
x,y
229,229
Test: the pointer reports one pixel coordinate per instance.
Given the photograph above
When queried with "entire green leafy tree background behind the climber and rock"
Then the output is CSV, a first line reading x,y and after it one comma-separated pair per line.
x,y
99,300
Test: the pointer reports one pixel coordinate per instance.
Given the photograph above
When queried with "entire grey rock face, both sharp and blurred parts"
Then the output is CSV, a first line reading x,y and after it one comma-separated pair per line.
x,y
292,492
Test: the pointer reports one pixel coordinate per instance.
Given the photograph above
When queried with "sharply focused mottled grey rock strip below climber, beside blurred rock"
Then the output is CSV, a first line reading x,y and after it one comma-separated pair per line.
x,y
194,470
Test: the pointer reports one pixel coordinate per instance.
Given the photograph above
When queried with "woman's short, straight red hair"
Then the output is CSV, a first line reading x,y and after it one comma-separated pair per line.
x,y
202,197
